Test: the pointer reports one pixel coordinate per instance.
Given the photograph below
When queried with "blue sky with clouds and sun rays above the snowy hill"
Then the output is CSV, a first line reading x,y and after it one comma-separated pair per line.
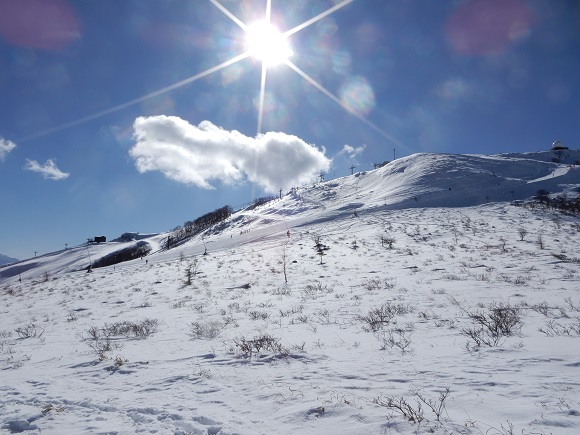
x,y
113,117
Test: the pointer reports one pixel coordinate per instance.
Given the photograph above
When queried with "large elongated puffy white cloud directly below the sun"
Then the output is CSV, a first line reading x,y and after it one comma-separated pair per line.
x,y
201,154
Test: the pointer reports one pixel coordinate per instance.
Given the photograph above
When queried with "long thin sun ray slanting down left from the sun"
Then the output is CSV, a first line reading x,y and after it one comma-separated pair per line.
x,y
139,99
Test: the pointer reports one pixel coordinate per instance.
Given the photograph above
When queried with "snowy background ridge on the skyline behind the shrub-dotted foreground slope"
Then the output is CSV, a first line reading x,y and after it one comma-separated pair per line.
x,y
420,180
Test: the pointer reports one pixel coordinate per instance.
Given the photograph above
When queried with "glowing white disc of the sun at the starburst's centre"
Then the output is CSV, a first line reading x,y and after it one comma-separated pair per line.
x,y
266,43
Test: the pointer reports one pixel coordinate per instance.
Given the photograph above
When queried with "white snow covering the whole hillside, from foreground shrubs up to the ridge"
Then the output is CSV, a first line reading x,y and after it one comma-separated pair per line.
x,y
458,248
